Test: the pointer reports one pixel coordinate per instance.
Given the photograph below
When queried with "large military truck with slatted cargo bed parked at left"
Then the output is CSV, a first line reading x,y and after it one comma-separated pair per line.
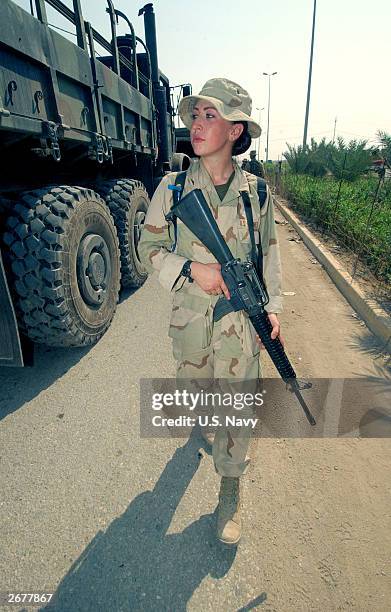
x,y
84,139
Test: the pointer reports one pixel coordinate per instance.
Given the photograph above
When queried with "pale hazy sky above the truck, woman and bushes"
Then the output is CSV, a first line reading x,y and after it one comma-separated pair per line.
x,y
200,39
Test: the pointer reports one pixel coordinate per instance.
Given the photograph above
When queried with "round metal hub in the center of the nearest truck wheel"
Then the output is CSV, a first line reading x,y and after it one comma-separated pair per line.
x,y
93,269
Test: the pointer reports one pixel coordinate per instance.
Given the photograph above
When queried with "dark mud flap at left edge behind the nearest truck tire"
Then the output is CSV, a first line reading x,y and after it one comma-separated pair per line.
x,y
10,344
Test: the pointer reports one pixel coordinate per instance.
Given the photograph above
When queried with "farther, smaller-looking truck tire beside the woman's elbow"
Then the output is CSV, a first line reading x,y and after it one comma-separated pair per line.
x,y
128,202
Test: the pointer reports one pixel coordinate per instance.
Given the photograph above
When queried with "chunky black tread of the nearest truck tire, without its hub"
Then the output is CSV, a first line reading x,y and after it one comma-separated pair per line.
x,y
34,242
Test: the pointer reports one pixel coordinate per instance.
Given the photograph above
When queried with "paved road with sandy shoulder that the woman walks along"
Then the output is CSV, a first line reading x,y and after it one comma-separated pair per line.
x,y
109,521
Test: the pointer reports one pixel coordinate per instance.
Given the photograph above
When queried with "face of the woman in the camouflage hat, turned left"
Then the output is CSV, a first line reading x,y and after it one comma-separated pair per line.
x,y
210,134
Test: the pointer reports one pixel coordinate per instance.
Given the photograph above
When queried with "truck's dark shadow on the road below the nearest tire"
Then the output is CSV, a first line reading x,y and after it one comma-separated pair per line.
x,y
20,385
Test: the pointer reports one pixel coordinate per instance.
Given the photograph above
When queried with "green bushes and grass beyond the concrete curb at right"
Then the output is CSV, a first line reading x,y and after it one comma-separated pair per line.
x,y
345,190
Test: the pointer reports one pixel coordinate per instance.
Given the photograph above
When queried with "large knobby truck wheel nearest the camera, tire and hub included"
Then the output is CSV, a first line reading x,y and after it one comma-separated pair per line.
x,y
62,248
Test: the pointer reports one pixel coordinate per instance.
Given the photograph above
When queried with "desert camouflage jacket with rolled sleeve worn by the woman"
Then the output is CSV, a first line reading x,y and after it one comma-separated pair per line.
x,y
190,303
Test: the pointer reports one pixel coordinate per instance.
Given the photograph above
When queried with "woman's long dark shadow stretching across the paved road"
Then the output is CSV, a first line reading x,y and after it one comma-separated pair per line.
x,y
135,564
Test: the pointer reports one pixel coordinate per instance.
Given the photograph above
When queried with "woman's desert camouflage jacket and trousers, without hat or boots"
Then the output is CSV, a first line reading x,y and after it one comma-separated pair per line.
x,y
228,349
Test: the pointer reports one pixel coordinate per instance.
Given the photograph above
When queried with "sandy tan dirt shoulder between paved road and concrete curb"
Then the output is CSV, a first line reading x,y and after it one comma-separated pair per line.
x,y
325,524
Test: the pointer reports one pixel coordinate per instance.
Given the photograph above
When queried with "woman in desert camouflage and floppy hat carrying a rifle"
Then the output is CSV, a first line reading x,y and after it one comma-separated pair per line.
x,y
220,124
